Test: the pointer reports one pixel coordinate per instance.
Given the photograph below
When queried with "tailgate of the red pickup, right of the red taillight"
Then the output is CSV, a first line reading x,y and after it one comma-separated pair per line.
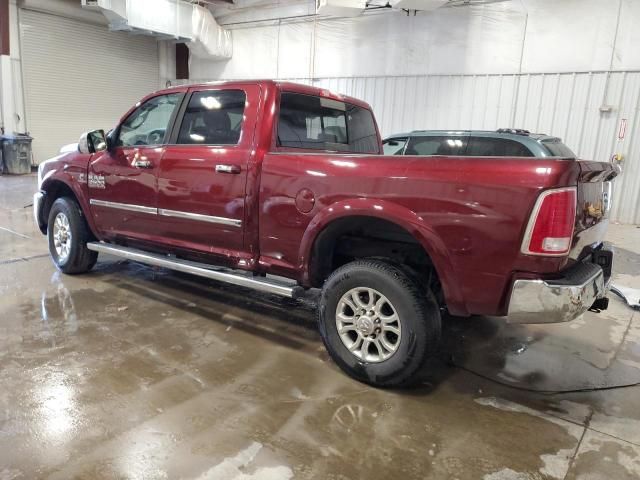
x,y
594,205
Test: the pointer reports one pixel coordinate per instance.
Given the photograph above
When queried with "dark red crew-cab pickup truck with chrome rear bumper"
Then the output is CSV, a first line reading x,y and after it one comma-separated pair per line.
x,y
282,187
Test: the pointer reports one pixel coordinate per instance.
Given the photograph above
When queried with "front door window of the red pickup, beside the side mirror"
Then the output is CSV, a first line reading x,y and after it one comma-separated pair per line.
x,y
148,124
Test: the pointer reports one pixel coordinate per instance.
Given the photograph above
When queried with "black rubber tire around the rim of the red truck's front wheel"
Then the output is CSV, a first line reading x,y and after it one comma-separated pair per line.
x,y
79,258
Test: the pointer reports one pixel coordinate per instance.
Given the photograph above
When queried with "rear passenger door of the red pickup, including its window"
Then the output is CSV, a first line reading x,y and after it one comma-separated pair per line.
x,y
203,173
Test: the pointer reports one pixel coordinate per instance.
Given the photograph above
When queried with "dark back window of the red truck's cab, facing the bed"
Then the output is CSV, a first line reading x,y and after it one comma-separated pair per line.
x,y
308,121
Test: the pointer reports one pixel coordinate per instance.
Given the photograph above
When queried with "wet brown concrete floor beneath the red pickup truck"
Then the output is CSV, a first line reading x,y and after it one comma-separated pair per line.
x,y
141,373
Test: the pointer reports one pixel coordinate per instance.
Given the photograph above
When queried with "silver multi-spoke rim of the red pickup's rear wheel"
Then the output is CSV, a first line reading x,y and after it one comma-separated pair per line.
x,y
368,324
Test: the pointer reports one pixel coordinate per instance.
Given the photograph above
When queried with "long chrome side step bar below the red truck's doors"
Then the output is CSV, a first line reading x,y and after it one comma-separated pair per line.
x,y
285,288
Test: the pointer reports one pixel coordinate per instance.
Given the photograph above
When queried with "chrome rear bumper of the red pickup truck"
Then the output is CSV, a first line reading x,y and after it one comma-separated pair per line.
x,y
559,300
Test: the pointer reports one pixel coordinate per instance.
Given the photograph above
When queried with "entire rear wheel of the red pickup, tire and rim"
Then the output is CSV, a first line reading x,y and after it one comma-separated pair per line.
x,y
377,323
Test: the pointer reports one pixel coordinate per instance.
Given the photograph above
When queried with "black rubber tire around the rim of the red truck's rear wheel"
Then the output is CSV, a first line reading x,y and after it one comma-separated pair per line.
x,y
416,308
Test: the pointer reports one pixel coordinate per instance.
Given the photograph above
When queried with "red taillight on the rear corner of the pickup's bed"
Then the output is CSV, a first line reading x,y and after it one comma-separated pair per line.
x,y
550,228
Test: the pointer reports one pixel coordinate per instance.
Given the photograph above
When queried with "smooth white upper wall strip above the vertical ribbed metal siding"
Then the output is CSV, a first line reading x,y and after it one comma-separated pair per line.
x,y
504,37
